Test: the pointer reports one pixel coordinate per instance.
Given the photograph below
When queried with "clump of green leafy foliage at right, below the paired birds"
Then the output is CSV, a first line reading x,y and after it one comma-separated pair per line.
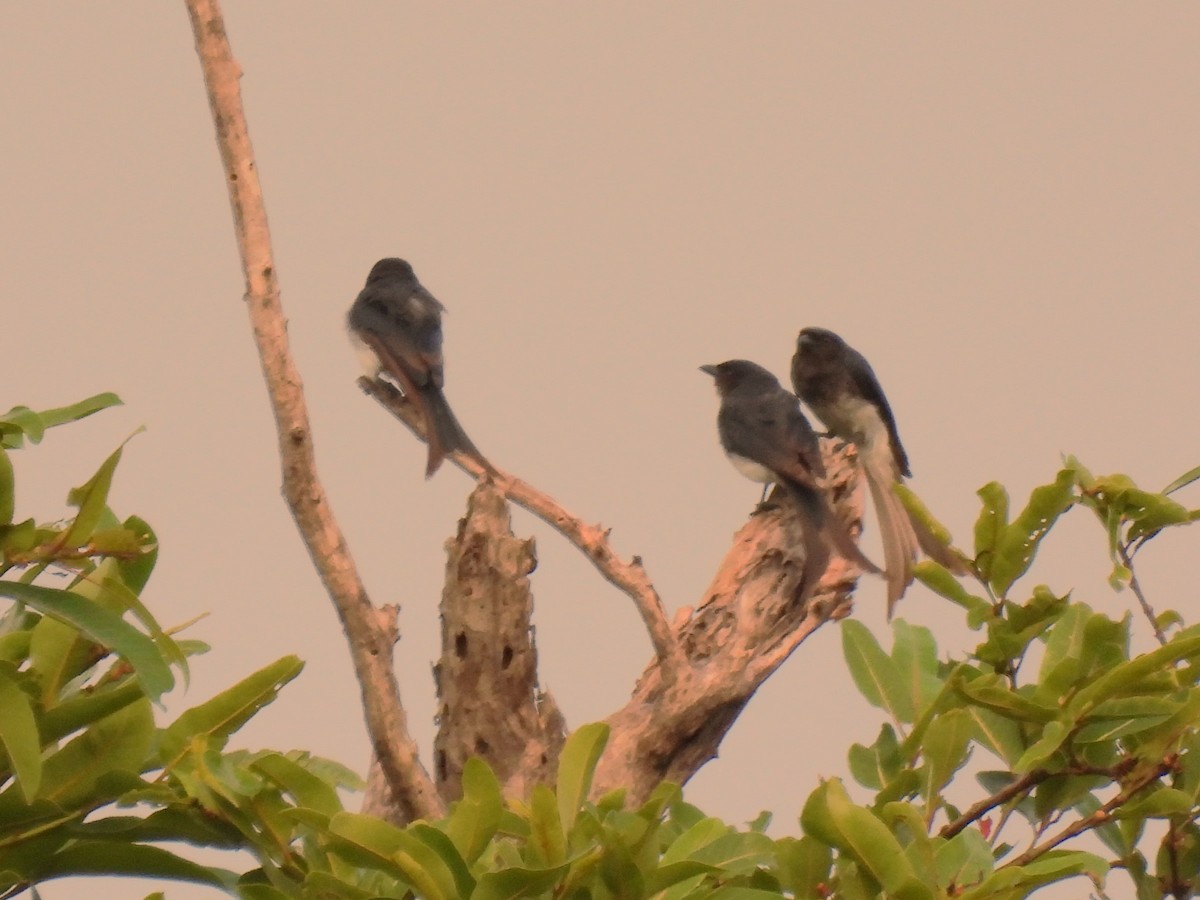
x,y
1099,740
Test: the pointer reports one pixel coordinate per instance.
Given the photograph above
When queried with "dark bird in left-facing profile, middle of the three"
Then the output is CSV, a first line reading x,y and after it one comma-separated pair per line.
x,y
767,439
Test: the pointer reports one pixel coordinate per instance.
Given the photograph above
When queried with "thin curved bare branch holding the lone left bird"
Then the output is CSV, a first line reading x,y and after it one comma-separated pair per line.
x,y
591,541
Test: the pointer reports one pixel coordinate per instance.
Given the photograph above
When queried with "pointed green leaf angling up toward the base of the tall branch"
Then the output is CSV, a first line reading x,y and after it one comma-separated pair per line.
x,y
229,711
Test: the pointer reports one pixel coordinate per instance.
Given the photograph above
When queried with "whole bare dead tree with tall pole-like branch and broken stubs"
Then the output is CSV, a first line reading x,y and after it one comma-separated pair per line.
x,y
707,663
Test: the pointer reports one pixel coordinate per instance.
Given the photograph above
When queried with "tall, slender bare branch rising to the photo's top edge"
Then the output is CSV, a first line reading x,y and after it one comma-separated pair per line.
x,y
371,645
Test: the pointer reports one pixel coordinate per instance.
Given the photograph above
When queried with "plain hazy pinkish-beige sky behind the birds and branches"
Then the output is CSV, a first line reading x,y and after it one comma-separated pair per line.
x,y
998,203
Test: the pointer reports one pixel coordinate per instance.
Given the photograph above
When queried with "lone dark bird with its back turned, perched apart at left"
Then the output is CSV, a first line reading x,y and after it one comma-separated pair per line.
x,y
397,327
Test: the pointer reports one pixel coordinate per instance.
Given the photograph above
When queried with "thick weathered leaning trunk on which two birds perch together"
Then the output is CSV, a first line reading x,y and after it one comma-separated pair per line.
x,y
748,622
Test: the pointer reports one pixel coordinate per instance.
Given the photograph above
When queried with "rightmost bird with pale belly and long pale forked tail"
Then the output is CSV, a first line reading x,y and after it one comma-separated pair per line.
x,y
841,388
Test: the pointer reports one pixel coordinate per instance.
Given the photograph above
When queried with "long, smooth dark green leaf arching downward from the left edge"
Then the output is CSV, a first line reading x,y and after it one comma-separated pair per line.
x,y
104,628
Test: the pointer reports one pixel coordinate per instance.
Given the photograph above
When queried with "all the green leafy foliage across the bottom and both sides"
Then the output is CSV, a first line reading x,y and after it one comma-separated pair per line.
x,y
1066,731
